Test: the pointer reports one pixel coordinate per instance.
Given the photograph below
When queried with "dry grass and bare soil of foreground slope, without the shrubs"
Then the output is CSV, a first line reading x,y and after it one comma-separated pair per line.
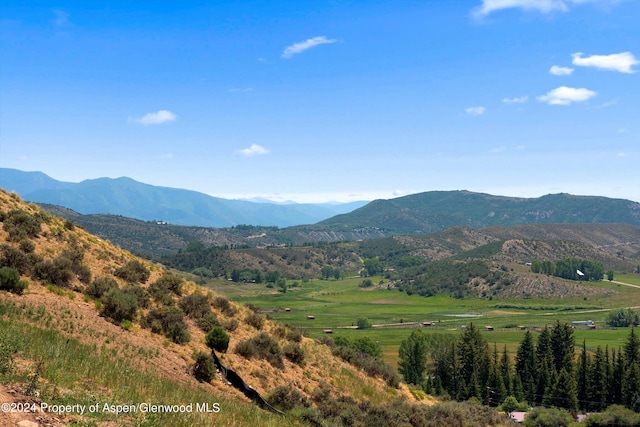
x,y
57,348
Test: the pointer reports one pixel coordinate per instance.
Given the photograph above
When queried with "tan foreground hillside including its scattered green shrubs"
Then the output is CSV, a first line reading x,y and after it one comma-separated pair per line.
x,y
90,326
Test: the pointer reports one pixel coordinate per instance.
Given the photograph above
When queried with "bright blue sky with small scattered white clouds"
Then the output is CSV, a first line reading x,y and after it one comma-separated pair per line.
x,y
326,100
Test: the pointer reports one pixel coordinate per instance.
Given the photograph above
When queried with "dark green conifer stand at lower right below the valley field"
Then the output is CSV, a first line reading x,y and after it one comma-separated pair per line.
x,y
545,372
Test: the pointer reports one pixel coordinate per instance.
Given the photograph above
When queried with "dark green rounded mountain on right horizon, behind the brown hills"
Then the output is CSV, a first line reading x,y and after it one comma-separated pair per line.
x,y
437,210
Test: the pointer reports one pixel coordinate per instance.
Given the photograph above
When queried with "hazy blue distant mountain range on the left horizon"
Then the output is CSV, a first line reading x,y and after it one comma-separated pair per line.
x,y
127,197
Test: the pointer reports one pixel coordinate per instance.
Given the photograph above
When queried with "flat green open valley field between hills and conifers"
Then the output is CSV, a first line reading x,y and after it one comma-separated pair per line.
x,y
337,305
